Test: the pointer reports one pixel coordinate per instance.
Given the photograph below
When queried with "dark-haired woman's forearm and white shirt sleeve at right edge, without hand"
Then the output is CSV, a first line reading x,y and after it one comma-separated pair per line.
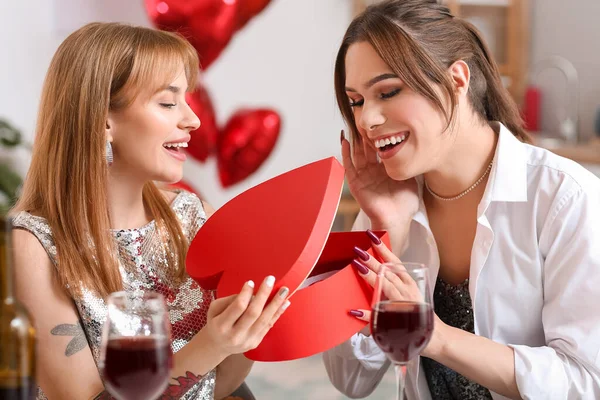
x,y
568,366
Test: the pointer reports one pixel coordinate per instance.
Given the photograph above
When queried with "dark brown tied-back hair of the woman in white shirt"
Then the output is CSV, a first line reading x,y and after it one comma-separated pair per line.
x,y
420,40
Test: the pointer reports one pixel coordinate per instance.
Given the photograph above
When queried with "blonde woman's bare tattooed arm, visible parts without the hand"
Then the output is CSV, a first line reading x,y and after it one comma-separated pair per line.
x,y
66,368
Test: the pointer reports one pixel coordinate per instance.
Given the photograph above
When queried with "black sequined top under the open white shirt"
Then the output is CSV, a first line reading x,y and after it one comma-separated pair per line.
x,y
453,306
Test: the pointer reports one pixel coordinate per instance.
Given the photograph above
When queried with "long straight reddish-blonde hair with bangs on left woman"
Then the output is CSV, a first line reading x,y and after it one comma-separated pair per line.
x,y
100,67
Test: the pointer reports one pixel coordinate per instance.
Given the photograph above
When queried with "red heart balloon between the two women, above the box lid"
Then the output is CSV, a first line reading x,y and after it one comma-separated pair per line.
x,y
245,143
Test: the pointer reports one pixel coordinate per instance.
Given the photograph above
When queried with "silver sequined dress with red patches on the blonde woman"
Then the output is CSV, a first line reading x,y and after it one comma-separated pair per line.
x,y
144,268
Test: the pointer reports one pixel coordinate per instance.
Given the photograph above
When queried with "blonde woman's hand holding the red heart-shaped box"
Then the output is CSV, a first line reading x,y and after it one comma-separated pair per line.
x,y
238,323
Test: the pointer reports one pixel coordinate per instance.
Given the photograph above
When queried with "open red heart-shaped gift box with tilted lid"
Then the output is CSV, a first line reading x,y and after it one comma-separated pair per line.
x,y
282,228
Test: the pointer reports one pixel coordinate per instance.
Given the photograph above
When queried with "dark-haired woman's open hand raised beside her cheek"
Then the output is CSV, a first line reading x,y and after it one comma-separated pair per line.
x,y
385,201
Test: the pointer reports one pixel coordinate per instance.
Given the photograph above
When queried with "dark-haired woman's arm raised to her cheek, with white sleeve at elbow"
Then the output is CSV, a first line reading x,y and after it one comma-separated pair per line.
x,y
357,366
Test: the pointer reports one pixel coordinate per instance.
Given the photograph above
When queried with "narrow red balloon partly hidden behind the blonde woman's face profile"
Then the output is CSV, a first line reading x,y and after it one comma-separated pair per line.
x,y
204,139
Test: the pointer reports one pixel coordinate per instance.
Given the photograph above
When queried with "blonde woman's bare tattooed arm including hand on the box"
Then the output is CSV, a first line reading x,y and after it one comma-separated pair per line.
x,y
66,368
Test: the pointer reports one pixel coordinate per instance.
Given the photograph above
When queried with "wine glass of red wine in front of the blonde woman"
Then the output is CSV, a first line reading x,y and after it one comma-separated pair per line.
x,y
136,356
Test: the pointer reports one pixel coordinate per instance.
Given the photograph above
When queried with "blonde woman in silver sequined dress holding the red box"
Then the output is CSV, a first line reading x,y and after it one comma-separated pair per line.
x,y
113,120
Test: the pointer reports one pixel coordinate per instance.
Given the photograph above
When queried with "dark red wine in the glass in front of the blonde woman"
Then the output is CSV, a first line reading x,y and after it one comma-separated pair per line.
x,y
137,367
